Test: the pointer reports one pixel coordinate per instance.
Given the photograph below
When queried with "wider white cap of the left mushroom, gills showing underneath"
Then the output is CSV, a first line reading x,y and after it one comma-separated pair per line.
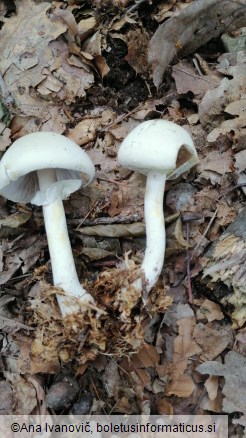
x,y
43,150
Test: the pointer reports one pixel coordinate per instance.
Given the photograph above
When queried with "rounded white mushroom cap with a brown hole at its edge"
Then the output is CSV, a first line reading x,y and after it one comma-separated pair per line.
x,y
158,145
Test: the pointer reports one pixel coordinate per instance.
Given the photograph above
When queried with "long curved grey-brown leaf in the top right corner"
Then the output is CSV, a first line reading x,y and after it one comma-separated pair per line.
x,y
194,26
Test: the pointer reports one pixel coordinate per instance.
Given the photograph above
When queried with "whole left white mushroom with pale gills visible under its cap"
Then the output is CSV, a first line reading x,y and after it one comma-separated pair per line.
x,y
44,168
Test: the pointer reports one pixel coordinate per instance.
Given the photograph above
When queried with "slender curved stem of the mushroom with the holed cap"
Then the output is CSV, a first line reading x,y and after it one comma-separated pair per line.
x,y
155,227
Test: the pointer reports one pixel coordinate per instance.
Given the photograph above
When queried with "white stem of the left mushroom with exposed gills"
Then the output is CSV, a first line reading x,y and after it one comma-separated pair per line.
x,y
61,256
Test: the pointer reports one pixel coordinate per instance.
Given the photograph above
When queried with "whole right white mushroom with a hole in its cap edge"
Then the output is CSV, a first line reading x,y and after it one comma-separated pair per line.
x,y
161,150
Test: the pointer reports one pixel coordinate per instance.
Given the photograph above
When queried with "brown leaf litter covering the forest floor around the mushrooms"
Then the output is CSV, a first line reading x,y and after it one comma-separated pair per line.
x,y
87,71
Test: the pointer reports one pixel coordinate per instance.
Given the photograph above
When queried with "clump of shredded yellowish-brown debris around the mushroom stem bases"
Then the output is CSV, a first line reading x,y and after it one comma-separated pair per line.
x,y
96,329
